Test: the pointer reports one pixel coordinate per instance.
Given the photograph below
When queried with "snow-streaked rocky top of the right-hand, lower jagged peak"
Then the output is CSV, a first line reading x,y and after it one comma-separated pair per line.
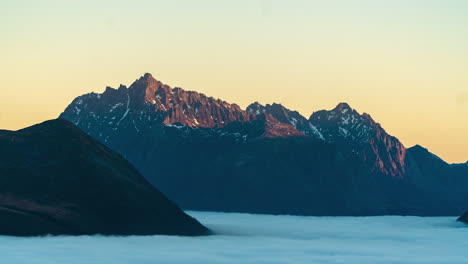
x,y
346,127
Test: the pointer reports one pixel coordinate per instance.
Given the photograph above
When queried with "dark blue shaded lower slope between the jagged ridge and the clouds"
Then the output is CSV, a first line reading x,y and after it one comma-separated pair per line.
x,y
295,175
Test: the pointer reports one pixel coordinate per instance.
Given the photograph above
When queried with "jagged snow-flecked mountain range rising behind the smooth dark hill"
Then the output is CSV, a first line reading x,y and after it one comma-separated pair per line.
x,y
267,158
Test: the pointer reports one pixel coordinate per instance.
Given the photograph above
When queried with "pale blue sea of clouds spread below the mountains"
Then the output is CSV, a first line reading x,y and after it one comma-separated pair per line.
x,y
246,238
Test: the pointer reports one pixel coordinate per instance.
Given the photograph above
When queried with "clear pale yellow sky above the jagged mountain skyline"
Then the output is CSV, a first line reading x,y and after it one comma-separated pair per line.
x,y
403,62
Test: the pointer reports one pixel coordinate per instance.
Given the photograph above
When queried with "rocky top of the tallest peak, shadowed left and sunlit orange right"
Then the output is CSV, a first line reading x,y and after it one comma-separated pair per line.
x,y
151,102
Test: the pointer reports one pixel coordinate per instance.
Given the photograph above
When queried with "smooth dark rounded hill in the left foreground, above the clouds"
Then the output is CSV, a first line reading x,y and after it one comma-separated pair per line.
x,y
55,179
